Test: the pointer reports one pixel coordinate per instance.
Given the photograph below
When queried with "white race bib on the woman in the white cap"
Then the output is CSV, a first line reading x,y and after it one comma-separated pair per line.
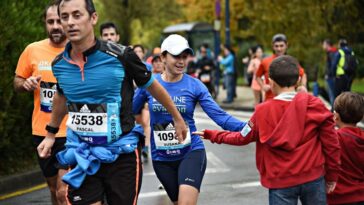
x,y
165,138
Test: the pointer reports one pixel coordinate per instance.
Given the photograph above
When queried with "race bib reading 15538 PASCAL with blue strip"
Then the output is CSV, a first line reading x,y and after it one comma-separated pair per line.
x,y
95,123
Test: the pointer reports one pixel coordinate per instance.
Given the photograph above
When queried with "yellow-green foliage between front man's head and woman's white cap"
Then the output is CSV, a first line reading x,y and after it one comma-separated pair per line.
x,y
141,21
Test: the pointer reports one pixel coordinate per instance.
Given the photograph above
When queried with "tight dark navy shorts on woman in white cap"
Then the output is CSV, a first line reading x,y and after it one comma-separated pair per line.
x,y
189,170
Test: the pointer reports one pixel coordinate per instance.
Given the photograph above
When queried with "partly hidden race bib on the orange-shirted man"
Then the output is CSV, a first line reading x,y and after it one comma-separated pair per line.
x,y
47,91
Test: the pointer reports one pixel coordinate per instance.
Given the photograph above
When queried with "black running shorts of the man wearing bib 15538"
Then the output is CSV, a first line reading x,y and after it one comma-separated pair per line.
x,y
119,182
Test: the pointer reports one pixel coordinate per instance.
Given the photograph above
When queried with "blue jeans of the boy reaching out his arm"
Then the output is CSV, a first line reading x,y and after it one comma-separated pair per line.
x,y
310,193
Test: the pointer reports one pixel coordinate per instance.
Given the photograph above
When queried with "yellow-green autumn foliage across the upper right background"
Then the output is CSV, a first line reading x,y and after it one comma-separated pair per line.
x,y
306,23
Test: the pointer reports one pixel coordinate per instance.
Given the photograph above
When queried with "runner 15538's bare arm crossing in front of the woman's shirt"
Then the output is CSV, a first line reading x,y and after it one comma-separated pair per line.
x,y
160,94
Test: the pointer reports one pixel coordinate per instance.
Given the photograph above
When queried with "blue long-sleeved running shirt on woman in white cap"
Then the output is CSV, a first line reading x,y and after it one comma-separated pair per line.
x,y
185,93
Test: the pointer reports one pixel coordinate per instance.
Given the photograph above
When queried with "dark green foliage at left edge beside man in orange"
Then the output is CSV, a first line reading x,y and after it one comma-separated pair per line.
x,y
21,24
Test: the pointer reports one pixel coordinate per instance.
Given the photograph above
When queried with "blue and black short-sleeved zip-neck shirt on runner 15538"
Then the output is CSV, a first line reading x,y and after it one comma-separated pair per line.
x,y
100,97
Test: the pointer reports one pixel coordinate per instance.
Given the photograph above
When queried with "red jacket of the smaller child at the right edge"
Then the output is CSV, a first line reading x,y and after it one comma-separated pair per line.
x,y
350,185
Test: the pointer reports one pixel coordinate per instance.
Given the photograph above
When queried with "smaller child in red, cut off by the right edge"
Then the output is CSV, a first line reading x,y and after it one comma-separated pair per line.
x,y
349,110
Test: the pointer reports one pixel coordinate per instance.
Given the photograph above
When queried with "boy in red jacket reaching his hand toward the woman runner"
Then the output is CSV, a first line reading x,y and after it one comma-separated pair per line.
x,y
297,148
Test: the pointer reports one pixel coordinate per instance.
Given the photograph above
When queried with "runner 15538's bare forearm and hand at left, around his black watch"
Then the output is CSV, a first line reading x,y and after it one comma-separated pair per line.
x,y
59,110
